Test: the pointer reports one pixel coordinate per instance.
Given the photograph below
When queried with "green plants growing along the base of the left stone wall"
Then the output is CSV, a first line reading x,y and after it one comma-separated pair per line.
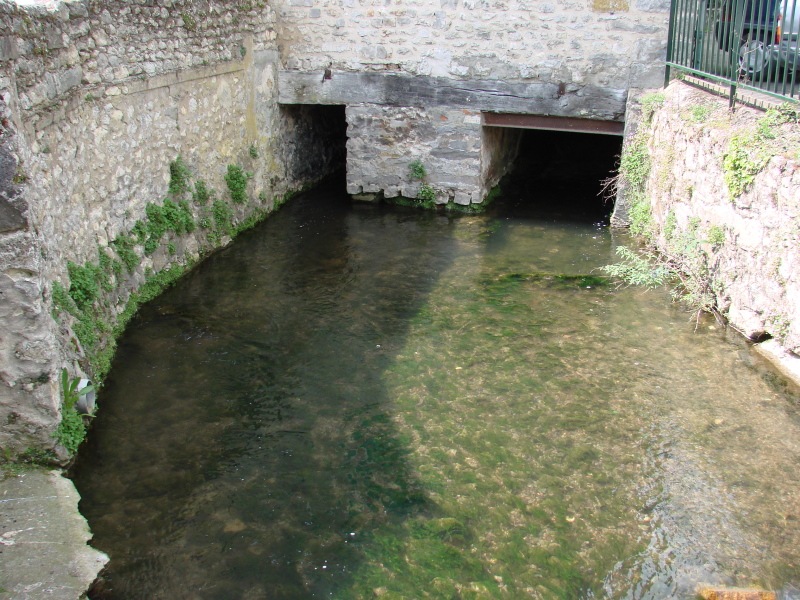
x,y
95,288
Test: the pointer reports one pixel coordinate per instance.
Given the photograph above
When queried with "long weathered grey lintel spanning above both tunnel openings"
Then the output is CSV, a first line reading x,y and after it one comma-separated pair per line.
x,y
395,89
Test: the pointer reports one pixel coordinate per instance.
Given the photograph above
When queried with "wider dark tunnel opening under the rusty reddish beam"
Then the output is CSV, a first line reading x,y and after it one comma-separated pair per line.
x,y
562,175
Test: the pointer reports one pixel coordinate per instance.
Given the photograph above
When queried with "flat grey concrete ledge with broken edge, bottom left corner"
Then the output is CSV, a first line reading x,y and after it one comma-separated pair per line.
x,y
43,539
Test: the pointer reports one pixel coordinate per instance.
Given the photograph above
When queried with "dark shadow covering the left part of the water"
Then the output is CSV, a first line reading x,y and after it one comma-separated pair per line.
x,y
244,448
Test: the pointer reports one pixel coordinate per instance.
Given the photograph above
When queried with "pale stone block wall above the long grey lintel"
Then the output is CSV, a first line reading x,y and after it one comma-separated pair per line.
x,y
608,43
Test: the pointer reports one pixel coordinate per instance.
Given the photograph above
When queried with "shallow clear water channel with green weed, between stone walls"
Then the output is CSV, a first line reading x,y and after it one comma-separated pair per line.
x,y
358,401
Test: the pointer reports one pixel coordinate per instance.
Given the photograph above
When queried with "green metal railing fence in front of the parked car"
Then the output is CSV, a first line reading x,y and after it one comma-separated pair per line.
x,y
750,44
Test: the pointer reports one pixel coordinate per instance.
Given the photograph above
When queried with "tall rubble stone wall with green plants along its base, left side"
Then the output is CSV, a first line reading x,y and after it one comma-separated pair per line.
x,y
99,99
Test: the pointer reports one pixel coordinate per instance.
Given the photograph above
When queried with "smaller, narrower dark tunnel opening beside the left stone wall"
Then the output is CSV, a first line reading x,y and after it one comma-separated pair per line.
x,y
313,140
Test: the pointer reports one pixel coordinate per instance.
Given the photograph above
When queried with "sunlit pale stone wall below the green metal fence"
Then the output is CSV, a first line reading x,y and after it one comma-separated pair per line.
x,y
748,236
